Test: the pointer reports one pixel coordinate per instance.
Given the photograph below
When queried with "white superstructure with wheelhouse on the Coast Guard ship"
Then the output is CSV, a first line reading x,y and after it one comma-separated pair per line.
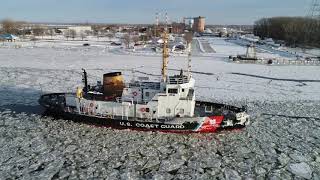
x,y
147,100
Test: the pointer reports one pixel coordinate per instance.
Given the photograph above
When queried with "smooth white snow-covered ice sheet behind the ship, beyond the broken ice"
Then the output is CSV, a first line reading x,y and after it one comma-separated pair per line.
x,y
218,78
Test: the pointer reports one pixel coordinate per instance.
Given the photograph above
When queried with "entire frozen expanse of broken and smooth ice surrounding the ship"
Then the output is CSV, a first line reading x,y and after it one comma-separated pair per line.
x,y
281,143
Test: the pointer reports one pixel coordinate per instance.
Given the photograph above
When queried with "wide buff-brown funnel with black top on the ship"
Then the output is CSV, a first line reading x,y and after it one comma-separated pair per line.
x,y
113,85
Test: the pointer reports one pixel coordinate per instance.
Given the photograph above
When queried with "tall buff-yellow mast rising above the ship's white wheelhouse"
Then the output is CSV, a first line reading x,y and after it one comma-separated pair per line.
x,y
165,53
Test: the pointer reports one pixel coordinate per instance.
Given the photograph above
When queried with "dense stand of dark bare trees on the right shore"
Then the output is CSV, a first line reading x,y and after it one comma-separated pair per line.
x,y
295,31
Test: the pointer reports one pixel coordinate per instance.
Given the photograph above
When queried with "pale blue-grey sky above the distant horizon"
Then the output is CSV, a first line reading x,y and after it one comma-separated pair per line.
x,y
143,11
